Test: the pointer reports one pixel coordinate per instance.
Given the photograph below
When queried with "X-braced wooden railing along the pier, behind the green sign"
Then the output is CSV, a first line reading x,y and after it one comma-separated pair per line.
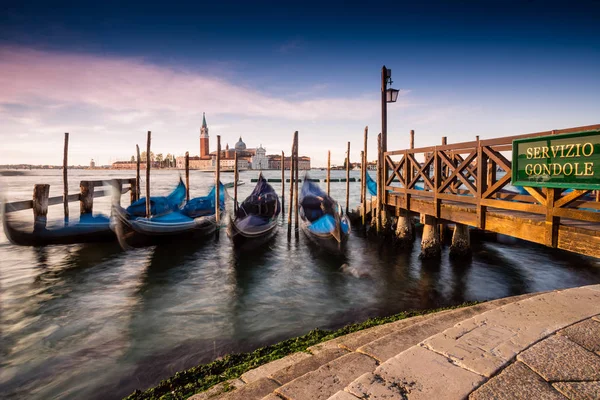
x,y
475,175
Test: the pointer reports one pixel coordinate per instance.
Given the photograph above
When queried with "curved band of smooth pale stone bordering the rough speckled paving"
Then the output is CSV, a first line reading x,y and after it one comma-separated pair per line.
x,y
453,363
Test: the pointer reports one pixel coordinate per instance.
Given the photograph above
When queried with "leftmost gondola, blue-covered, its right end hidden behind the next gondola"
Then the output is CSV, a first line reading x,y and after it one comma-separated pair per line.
x,y
89,229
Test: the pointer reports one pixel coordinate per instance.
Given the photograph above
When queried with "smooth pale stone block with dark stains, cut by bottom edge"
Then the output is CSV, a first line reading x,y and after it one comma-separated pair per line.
x,y
416,374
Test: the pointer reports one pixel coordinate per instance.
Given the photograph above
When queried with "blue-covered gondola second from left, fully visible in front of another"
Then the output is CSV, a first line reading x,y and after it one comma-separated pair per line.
x,y
195,220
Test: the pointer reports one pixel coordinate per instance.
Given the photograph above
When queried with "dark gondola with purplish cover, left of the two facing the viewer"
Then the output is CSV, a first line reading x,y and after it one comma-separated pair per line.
x,y
255,220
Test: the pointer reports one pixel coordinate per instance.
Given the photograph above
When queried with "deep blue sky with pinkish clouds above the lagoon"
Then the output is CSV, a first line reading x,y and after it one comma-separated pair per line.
x,y
108,72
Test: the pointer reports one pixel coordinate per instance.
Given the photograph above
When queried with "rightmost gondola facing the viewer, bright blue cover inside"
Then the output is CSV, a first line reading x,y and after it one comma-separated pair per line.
x,y
321,219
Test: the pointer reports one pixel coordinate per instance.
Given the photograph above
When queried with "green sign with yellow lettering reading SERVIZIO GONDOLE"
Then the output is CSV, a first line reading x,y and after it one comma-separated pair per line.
x,y
558,161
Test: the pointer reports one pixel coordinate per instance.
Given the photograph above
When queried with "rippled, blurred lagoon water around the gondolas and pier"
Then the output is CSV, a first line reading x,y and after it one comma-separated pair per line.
x,y
91,321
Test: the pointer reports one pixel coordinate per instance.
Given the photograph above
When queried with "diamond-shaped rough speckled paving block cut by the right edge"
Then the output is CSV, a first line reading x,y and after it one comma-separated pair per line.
x,y
559,359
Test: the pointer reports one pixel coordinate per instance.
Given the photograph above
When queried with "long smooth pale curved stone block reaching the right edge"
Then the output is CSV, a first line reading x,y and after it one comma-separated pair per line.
x,y
487,342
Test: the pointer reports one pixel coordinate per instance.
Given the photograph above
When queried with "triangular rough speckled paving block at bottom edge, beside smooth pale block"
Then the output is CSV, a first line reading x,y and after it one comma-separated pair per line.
x,y
516,381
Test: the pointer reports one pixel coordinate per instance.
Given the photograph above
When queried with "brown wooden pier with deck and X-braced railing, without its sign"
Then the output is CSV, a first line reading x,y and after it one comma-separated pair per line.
x,y
464,183
